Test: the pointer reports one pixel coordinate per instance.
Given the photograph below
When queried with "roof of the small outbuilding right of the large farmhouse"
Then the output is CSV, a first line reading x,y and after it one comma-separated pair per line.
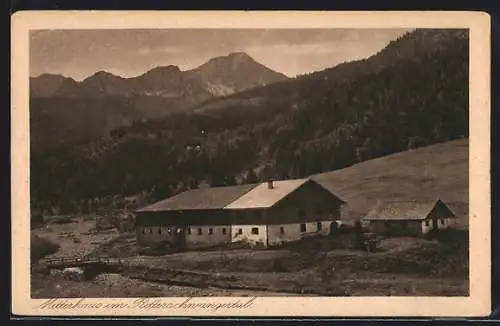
x,y
406,210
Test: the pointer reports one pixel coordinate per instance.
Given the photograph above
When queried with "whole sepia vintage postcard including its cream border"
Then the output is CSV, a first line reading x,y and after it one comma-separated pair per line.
x,y
251,164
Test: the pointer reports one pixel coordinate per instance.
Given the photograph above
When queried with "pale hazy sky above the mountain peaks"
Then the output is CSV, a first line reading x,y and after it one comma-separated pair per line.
x,y
81,53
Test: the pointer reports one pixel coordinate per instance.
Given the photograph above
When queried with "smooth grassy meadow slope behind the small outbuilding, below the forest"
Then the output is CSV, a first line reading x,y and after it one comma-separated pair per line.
x,y
440,170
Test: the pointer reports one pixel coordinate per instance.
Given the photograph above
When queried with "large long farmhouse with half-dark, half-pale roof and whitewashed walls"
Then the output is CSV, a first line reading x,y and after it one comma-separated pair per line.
x,y
265,214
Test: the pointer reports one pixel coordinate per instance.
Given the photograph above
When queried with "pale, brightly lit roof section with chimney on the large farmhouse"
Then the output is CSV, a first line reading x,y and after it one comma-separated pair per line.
x,y
263,197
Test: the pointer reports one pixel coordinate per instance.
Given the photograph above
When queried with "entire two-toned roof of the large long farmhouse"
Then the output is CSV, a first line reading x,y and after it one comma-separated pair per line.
x,y
230,197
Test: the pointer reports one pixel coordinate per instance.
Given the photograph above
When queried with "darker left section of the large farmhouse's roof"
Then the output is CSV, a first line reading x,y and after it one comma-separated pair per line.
x,y
202,198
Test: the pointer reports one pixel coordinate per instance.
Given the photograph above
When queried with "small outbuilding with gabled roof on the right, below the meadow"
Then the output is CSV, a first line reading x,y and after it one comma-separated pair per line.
x,y
409,217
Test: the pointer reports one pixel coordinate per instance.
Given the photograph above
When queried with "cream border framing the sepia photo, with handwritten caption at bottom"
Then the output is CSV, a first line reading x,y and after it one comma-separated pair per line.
x,y
477,304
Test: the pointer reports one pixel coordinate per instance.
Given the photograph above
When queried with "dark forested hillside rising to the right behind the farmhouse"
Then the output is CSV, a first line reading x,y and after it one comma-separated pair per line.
x,y
413,93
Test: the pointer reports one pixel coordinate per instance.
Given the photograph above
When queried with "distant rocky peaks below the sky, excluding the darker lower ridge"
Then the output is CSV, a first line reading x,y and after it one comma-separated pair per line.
x,y
217,77
